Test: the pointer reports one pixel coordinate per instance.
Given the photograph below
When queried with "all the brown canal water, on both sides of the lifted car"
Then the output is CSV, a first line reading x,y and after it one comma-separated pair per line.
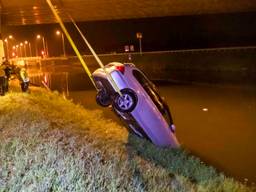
x,y
215,122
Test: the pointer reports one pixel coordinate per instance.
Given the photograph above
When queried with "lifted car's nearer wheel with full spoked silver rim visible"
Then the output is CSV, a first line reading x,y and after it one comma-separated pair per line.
x,y
127,102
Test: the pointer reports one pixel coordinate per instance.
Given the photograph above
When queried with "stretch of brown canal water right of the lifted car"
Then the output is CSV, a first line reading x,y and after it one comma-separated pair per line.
x,y
218,124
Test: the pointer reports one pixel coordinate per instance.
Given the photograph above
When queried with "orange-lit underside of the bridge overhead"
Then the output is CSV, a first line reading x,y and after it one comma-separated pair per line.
x,y
14,12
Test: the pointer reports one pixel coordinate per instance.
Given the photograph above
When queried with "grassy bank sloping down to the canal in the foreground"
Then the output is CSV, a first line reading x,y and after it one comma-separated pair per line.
x,y
50,144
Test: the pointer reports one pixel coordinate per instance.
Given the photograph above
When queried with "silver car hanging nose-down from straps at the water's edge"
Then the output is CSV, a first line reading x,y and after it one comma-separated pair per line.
x,y
139,105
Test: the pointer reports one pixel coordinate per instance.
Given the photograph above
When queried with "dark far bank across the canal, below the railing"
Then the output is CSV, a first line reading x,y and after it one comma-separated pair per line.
x,y
207,66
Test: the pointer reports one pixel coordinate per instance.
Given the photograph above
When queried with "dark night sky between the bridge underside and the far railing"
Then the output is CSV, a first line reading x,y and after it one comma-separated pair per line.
x,y
169,33
